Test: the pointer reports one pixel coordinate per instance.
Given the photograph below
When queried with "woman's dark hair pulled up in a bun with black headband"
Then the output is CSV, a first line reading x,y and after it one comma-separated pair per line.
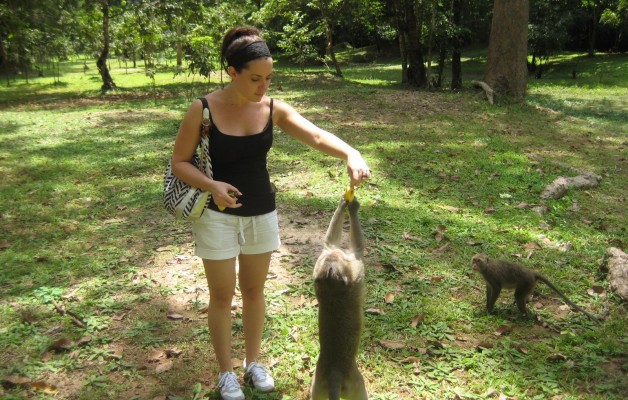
x,y
241,45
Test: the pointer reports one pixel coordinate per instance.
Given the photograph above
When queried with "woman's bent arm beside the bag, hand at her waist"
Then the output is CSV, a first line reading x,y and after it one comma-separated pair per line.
x,y
185,146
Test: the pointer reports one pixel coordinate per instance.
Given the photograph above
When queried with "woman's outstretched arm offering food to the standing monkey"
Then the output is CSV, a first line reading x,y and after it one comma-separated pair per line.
x,y
297,126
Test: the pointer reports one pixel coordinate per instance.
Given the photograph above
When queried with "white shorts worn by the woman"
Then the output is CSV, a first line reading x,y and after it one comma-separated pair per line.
x,y
220,236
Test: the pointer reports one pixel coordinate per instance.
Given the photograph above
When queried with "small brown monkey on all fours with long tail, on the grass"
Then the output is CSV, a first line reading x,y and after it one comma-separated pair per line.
x,y
499,274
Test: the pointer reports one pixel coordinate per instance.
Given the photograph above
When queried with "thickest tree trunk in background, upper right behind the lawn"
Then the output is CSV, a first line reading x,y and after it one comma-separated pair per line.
x,y
506,70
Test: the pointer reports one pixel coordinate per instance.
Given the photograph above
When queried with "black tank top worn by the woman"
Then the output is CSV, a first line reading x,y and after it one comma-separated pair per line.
x,y
241,161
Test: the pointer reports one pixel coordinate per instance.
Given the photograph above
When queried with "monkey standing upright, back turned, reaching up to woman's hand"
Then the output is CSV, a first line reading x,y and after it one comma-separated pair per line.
x,y
340,290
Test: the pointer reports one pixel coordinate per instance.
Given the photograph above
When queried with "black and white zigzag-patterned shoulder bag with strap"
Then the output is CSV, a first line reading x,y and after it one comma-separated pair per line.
x,y
180,199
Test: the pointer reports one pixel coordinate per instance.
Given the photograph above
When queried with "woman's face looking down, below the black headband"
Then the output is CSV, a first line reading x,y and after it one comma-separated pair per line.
x,y
253,81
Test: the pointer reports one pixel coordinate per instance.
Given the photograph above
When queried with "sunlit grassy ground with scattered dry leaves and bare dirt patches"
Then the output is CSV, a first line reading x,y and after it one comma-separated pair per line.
x,y
83,230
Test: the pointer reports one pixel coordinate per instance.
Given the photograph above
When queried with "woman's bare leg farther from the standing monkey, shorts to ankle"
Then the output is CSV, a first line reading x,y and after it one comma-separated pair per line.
x,y
221,280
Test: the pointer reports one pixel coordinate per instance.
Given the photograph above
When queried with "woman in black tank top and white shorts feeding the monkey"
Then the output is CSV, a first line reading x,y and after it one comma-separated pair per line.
x,y
242,118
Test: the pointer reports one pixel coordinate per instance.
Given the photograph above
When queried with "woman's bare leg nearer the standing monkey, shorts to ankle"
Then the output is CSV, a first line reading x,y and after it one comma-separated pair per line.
x,y
252,276
